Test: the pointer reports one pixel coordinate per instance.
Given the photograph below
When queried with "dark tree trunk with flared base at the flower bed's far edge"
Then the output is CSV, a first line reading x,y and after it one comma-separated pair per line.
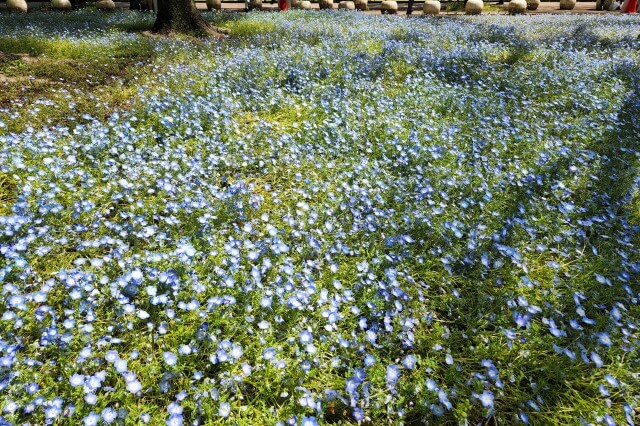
x,y
179,16
